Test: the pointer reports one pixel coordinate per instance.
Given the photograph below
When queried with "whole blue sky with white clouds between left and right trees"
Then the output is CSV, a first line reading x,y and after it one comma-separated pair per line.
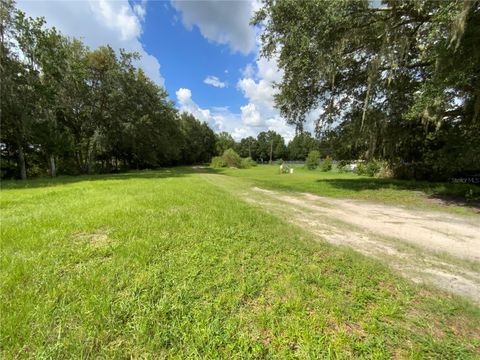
x,y
204,53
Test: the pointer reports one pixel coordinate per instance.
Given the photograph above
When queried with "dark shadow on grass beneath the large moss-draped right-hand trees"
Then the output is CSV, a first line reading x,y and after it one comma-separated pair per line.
x,y
443,193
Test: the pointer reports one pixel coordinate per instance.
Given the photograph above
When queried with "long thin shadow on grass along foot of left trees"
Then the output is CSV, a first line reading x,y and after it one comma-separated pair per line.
x,y
141,174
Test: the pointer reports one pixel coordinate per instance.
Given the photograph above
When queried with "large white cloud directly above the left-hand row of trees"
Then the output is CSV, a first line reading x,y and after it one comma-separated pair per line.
x,y
98,23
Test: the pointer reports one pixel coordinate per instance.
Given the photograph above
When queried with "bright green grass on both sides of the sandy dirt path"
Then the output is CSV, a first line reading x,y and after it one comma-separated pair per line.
x,y
167,264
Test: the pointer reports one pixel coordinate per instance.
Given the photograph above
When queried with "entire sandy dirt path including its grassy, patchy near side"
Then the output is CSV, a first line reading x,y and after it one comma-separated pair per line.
x,y
427,247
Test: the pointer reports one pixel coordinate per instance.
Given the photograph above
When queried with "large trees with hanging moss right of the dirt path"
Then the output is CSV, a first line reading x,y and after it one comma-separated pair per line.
x,y
398,81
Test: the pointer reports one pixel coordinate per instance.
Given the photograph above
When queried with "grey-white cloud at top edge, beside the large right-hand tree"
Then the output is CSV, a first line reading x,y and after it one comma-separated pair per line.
x,y
223,22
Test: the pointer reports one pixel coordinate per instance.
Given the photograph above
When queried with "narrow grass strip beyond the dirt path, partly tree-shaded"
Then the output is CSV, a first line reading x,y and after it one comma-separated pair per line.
x,y
418,194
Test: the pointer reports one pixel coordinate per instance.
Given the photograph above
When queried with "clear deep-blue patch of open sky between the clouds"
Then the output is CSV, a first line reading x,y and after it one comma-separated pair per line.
x,y
188,66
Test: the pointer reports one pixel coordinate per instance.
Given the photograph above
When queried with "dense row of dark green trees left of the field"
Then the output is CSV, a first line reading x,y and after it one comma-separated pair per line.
x,y
68,108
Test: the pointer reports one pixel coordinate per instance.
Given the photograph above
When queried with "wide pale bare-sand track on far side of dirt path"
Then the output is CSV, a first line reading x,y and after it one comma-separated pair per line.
x,y
437,232
